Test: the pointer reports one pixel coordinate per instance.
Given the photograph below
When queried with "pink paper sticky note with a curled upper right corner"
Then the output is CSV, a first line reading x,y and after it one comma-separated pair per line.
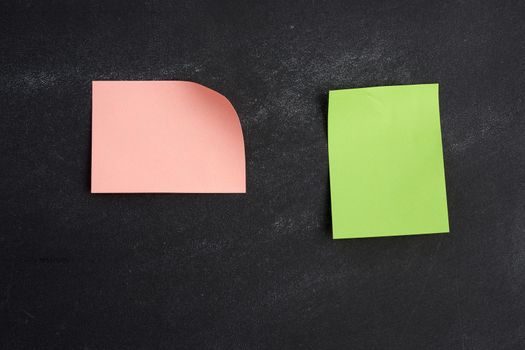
x,y
165,136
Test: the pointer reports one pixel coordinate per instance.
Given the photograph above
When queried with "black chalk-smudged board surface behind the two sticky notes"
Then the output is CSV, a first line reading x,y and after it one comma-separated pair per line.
x,y
258,271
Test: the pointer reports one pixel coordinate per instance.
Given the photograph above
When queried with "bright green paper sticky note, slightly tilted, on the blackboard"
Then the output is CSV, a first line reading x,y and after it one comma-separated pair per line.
x,y
387,176
